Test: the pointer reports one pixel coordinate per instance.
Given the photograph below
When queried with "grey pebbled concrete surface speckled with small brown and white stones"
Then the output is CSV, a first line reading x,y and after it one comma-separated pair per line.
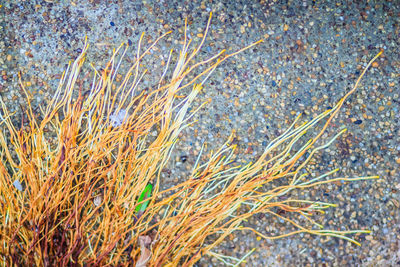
x,y
312,54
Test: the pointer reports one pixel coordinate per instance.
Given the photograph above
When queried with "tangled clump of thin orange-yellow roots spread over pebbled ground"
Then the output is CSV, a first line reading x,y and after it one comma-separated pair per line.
x,y
83,196
